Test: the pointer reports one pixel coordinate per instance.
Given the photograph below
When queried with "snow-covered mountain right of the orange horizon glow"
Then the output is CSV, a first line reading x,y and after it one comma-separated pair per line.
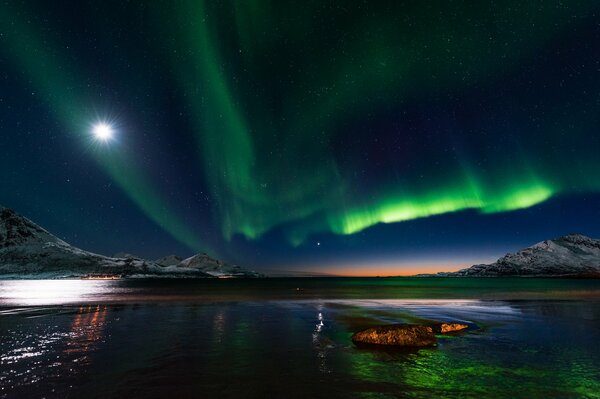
x,y
568,255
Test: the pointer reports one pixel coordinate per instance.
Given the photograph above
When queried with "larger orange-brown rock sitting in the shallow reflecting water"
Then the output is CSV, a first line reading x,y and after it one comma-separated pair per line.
x,y
396,334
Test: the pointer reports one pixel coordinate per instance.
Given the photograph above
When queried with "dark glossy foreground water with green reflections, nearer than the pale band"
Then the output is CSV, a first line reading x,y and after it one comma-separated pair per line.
x,y
297,349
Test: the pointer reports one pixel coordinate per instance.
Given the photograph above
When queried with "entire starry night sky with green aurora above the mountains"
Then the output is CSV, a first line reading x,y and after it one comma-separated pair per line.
x,y
336,137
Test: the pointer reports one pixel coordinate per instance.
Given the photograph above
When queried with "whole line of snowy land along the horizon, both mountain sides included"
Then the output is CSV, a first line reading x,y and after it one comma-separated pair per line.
x,y
29,251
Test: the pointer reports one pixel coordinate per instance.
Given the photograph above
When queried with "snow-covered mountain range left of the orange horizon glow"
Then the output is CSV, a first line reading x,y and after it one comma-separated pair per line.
x,y
29,251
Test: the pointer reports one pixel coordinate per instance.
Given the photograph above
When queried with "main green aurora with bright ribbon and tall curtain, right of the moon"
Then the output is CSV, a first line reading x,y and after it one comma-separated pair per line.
x,y
272,169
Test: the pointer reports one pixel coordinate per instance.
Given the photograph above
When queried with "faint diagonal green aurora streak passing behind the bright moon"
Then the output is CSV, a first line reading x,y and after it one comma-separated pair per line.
x,y
26,48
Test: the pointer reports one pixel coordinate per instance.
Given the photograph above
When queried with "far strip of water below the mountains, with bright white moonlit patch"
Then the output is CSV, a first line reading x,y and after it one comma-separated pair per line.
x,y
75,291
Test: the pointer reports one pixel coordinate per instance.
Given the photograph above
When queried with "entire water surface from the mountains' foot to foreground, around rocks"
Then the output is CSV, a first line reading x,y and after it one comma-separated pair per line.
x,y
290,338
